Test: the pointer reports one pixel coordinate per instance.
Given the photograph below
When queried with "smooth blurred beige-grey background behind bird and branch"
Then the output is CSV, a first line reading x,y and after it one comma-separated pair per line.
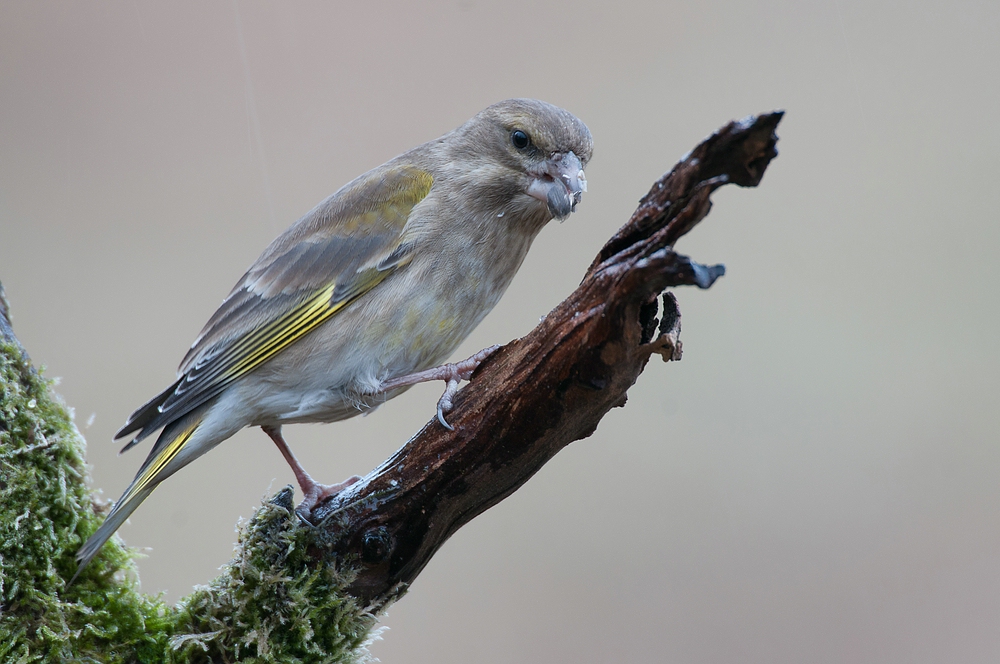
x,y
817,481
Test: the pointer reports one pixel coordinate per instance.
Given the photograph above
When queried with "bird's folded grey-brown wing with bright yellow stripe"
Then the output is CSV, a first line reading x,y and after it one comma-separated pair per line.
x,y
338,252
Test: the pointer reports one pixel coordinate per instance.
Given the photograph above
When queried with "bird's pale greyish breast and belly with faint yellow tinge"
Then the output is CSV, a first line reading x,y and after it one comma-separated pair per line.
x,y
413,320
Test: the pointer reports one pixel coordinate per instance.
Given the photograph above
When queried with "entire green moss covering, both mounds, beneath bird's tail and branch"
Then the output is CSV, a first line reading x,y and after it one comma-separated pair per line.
x,y
272,603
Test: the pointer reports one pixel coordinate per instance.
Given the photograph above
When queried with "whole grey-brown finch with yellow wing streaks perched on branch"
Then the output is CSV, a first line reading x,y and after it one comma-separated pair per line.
x,y
366,295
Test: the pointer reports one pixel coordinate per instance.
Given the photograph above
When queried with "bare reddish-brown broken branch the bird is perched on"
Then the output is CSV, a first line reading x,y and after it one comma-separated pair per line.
x,y
539,393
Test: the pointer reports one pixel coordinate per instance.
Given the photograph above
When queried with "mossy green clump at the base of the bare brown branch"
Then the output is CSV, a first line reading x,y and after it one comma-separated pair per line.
x,y
272,604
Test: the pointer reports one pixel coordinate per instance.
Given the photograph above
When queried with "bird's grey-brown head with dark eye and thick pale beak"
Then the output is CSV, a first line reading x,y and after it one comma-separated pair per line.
x,y
535,149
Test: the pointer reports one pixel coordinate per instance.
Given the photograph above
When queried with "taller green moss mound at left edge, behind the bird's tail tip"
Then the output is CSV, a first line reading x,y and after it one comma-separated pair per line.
x,y
45,512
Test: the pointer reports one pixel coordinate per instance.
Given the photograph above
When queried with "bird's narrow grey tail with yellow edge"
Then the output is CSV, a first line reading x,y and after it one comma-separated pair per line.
x,y
154,470
